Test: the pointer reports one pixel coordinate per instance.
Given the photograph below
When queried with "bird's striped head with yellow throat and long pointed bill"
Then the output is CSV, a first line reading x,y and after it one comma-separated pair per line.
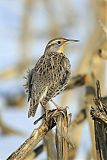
x,y
58,44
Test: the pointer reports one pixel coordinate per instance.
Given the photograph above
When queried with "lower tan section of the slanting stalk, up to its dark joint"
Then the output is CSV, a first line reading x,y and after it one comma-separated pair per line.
x,y
30,143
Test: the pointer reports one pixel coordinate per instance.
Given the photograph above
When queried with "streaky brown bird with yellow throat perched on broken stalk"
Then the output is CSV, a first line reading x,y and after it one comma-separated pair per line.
x,y
49,76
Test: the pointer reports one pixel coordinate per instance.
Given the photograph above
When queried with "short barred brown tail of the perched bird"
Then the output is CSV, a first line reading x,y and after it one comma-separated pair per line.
x,y
32,109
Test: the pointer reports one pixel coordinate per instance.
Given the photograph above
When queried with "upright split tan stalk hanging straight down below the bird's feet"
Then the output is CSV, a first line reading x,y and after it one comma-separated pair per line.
x,y
62,129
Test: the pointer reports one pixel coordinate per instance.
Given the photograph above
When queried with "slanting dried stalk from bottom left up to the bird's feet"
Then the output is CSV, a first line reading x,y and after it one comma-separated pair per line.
x,y
36,136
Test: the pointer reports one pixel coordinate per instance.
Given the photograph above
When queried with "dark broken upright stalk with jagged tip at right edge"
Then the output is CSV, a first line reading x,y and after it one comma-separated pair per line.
x,y
99,114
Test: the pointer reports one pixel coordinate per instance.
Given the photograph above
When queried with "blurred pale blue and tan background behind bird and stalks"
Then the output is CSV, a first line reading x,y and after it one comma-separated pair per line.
x,y
26,26
